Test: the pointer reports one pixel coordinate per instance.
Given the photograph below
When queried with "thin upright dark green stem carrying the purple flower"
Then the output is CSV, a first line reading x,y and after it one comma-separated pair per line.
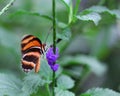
x,y
54,42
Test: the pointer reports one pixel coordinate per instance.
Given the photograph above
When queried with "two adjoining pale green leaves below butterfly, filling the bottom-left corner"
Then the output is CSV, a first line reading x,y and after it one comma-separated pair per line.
x,y
10,85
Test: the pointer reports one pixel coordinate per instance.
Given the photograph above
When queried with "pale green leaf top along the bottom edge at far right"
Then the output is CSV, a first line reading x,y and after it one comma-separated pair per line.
x,y
100,92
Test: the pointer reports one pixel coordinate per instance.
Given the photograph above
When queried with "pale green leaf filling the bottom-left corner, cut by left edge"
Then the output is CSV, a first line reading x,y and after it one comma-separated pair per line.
x,y
9,85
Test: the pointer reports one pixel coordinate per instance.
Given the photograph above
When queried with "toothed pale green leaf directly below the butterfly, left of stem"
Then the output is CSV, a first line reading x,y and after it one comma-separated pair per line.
x,y
31,83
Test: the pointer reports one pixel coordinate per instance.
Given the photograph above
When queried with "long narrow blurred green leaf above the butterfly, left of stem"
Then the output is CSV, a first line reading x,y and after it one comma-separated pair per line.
x,y
23,12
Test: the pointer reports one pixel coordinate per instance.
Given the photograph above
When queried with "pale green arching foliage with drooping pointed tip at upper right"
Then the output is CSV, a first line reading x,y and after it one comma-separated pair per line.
x,y
92,14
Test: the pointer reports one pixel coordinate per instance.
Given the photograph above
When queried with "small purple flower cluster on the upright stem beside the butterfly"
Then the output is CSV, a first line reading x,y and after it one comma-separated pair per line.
x,y
51,58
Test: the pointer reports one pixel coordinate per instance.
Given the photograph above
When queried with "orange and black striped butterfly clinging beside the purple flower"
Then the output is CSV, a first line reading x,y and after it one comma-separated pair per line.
x,y
31,49
